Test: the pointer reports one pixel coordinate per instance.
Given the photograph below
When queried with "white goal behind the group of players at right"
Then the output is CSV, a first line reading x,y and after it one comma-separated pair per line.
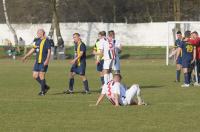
x,y
171,29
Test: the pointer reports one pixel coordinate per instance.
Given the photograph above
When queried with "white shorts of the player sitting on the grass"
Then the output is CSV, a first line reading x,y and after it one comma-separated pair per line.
x,y
133,91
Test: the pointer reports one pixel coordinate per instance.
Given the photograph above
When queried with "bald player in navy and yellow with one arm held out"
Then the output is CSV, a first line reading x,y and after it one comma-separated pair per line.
x,y
42,48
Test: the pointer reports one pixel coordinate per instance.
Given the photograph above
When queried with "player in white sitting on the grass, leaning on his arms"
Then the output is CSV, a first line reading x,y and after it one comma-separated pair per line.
x,y
119,95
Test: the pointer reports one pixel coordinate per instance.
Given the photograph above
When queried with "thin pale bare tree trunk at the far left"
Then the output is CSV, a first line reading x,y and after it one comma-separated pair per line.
x,y
8,23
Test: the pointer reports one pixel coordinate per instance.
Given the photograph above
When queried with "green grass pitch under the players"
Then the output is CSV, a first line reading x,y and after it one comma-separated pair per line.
x,y
171,108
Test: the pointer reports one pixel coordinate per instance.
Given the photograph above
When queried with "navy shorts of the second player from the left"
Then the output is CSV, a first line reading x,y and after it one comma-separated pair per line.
x,y
80,70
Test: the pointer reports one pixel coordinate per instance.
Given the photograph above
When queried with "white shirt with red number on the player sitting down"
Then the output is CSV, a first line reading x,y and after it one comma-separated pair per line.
x,y
113,88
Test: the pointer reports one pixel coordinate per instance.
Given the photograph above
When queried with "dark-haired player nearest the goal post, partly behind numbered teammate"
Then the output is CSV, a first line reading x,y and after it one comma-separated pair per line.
x,y
179,60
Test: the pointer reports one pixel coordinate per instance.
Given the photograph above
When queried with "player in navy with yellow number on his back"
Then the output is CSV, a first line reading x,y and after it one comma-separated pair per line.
x,y
188,57
